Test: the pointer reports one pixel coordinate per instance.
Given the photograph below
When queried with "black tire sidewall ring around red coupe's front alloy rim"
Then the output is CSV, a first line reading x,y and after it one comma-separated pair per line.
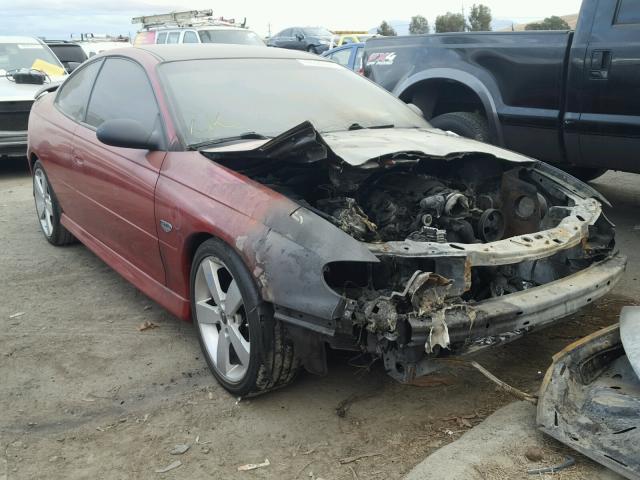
x,y
254,309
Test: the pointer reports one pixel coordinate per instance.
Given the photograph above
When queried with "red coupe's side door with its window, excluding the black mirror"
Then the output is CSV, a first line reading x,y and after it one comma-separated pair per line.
x,y
118,184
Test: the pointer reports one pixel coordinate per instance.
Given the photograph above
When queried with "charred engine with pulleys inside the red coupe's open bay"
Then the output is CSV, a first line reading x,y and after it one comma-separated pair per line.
x,y
399,206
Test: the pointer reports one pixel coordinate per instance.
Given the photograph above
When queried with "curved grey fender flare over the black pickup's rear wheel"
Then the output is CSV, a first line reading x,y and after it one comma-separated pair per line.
x,y
468,80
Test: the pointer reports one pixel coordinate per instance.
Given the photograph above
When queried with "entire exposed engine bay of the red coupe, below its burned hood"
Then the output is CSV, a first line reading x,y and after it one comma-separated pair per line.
x,y
474,200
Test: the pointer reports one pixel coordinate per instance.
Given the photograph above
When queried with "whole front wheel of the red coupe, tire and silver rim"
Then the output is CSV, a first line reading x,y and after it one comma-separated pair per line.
x,y
246,349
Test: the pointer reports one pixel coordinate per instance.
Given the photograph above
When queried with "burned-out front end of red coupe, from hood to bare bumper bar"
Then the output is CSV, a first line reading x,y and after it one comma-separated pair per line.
x,y
475,246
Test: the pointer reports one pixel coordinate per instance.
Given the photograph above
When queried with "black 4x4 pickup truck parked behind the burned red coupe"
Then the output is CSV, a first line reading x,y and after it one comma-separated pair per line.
x,y
569,98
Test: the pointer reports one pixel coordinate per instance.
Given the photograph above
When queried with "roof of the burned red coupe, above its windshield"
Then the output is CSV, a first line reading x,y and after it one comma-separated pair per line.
x,y
173,53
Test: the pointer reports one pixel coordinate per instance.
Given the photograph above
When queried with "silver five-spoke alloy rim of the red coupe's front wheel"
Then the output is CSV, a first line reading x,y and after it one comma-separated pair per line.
x,y
222,319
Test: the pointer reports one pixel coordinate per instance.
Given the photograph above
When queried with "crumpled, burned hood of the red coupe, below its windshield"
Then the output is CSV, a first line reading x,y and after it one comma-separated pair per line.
x,y
305,144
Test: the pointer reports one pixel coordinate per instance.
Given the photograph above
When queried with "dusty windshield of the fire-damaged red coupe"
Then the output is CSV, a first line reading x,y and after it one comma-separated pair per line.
x,y
215,99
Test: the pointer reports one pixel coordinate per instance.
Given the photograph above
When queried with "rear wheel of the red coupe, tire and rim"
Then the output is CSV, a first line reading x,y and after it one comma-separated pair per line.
x,y
48,209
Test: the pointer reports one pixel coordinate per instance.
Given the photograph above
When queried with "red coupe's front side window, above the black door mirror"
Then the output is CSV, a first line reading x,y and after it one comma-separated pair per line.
x,y
122,90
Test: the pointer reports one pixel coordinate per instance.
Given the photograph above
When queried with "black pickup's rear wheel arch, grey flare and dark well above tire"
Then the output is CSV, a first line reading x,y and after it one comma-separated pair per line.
x,y
444,90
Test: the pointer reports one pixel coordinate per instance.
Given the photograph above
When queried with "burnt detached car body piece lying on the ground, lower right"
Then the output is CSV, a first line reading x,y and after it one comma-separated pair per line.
x,y
590,396
